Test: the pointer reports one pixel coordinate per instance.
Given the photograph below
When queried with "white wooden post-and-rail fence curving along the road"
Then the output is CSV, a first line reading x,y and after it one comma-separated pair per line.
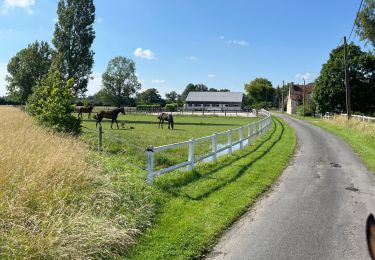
x,y
254,130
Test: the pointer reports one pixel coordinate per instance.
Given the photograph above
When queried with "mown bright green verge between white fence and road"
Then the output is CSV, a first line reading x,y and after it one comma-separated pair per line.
x,y
199,205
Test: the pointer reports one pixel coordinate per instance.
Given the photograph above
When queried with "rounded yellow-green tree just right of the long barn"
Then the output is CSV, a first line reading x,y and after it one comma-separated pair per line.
x,y
260,90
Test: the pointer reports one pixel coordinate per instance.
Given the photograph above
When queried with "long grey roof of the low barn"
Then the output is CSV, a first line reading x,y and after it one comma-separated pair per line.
x,y
215,97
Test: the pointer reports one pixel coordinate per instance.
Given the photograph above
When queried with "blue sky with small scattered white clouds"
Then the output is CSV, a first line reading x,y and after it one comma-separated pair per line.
x,y
220,43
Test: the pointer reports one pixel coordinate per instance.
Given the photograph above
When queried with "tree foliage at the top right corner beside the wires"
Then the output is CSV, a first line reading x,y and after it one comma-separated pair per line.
x,y
365,26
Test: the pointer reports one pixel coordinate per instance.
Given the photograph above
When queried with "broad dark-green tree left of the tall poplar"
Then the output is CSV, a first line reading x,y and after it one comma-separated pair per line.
x,y
26,68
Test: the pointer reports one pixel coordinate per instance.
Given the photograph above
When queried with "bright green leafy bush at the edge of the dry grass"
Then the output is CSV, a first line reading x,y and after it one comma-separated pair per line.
x,y
50,104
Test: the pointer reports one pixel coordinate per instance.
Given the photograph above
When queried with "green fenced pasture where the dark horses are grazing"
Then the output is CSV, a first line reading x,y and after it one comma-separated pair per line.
x,y
138,131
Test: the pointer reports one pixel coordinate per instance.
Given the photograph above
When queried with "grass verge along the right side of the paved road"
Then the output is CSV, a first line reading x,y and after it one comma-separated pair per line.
x,y
359,135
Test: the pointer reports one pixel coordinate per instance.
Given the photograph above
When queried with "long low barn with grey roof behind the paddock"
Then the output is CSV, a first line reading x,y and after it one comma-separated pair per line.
x,y
222,101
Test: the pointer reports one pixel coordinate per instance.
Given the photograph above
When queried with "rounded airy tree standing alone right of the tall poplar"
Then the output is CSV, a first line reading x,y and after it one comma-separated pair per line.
x,y
119,81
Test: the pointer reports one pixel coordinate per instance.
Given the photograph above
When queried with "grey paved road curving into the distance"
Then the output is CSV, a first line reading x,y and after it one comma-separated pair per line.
x,y
316,211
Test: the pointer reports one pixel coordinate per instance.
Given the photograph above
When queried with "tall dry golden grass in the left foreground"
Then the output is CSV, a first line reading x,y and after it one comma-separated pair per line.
x,y
53,204
